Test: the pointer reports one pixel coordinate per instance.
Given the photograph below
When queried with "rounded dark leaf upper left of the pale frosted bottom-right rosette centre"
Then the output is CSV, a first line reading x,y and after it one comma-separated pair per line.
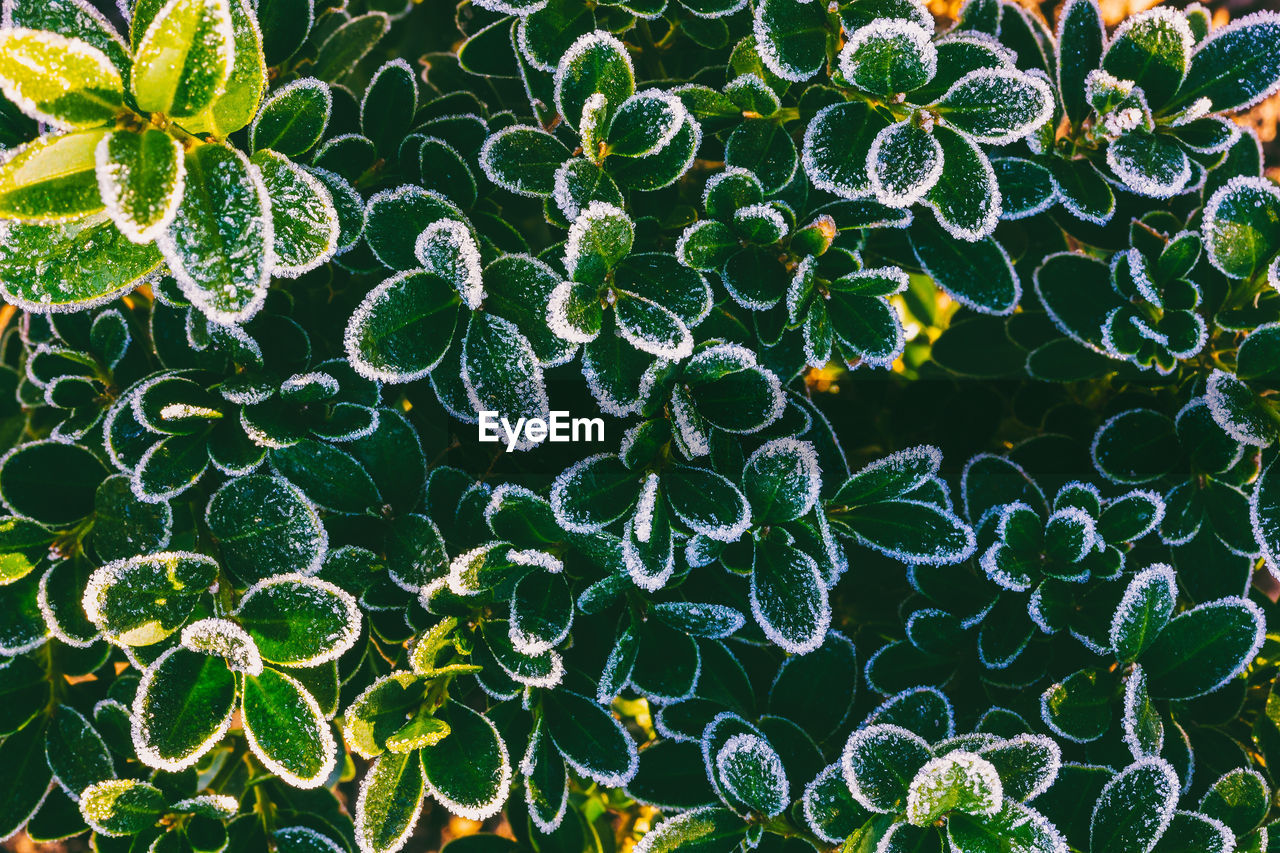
x,y
880,763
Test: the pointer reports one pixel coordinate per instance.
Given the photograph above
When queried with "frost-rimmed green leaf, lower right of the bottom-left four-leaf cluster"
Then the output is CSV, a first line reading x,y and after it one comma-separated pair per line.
x,y
286,729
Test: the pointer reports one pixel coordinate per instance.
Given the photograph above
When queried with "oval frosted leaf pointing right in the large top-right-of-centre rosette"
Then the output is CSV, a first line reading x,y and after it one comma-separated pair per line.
x,y
996,106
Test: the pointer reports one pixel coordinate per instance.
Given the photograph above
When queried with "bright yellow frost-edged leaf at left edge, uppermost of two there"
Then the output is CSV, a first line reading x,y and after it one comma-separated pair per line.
x,y
66,83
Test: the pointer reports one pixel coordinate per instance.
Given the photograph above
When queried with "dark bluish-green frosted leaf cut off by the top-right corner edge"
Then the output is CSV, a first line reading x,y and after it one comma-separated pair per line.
x,y
1236,67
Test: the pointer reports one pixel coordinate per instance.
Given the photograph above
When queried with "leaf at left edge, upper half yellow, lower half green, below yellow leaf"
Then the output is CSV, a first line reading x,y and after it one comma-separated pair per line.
x,y
52,180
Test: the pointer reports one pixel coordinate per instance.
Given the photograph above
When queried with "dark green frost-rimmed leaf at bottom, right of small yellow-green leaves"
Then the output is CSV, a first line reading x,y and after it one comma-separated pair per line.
x,y
470,770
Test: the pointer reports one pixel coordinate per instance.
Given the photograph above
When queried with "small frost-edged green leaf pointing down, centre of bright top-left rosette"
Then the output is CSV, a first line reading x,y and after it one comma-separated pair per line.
x,y
141,179
